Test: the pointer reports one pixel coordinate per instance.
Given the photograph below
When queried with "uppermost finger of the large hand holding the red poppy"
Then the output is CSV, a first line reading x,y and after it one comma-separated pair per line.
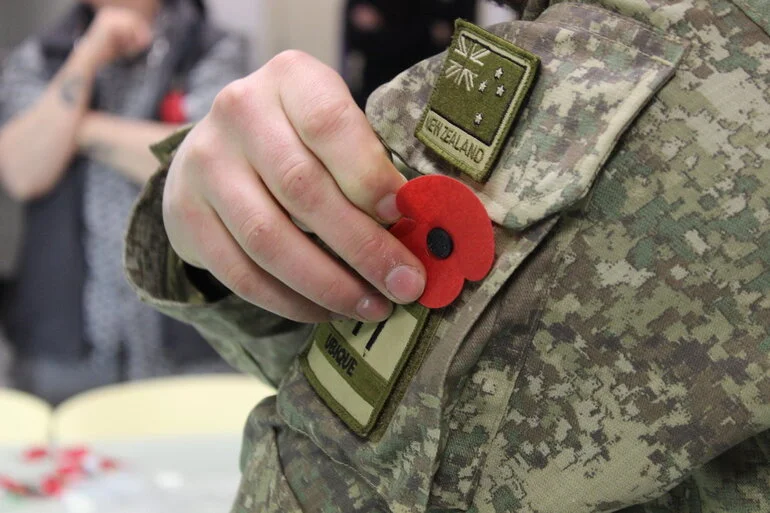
x,y
337,132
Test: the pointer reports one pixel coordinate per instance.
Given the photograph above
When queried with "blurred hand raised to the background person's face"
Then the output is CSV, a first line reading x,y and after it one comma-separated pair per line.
x,y
116,33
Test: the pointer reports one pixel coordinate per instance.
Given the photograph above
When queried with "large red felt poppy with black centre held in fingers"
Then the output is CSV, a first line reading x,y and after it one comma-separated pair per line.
x,y
446,226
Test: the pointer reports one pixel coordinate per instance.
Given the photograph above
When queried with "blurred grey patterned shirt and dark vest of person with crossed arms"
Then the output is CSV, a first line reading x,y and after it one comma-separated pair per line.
x,y
69,314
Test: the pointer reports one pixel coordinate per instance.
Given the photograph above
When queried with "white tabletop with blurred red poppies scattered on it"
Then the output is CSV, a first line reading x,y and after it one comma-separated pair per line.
x,y
168,475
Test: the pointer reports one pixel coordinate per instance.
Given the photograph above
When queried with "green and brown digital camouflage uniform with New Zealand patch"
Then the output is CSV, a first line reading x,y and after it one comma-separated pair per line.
x,y
618,354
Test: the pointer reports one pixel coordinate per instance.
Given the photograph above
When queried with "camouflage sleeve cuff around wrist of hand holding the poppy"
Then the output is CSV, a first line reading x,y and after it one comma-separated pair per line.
x,y
250,339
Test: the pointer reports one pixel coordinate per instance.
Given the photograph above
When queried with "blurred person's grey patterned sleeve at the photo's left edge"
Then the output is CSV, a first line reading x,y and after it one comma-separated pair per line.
x,y
23,80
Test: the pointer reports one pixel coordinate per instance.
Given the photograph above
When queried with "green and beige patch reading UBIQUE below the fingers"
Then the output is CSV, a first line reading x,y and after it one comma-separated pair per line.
x,y
354,367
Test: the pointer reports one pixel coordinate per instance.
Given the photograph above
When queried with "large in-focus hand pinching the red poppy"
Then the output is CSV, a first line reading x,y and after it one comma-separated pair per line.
x,y
288,143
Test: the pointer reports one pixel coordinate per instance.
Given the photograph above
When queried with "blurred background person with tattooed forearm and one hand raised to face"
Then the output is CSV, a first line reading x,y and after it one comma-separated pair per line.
x,y
81,103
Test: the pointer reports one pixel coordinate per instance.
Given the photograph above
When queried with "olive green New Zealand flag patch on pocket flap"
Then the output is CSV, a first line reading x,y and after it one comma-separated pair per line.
x,y
477,96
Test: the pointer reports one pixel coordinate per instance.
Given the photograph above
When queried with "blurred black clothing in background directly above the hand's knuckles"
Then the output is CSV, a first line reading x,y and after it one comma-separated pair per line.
x,y
407,32
